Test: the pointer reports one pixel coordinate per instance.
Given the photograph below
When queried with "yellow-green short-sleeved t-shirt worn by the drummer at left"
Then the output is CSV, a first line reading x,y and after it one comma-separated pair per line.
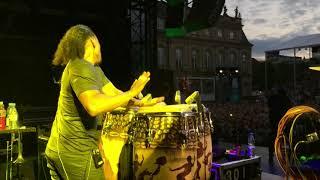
x,y
73,129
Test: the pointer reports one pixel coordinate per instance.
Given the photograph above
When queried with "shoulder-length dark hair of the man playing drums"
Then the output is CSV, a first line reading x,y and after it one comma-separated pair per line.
x,y
71,45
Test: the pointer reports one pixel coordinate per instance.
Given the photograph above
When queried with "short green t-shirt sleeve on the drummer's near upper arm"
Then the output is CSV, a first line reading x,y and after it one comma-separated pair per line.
x,y
83,77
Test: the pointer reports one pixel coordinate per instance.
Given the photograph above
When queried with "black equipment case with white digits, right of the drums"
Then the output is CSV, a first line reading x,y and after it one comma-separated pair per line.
x,y
245,169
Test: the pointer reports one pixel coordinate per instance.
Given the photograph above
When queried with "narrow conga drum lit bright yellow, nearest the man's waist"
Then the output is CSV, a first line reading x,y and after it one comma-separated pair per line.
x,y
116,133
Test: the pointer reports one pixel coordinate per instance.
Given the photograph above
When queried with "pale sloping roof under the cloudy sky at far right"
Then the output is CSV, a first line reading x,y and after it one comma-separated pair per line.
x,y
311,40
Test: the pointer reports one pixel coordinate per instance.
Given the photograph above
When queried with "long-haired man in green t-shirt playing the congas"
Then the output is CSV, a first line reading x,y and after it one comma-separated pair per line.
x,y
85,94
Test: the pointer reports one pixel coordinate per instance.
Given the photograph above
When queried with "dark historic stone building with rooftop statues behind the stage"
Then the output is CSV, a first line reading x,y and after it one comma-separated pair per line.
x,y
216,61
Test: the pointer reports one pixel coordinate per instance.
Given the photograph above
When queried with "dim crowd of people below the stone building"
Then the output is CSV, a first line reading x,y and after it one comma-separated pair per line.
x,y
233,121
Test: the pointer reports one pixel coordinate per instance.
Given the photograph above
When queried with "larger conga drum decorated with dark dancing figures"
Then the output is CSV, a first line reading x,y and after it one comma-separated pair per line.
x,y
171,142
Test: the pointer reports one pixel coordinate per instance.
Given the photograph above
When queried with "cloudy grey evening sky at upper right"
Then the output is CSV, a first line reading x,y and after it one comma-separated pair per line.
x,y
268,22
